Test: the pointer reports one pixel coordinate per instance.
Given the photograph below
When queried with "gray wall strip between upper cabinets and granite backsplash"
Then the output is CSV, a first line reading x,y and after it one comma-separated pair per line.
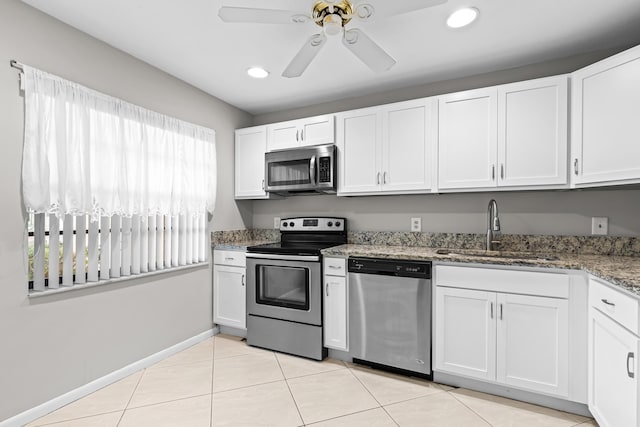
x,y
535,212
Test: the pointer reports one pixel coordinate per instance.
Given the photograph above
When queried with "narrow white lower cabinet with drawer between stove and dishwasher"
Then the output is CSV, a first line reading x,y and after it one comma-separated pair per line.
x,y
335,304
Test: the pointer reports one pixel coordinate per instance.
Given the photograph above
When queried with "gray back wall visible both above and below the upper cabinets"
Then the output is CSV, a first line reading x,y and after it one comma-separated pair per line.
x,y
535,212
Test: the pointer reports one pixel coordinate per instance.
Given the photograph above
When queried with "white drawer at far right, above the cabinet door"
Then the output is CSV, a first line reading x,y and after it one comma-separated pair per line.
x,y
618,306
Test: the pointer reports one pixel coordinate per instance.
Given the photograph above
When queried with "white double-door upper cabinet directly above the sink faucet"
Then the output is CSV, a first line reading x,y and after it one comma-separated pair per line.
x,y
508,136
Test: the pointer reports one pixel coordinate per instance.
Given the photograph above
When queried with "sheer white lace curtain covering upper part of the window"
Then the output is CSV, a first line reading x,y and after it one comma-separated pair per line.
x,y
86,153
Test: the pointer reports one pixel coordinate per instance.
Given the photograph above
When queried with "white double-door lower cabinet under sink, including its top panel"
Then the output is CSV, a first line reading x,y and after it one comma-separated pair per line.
x,y
511,339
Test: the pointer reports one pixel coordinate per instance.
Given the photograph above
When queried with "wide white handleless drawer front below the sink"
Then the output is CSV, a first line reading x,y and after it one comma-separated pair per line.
x,y
555,285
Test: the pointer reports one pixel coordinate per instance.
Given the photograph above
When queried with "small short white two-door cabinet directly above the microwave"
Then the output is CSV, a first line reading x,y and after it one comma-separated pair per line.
x,y
303,132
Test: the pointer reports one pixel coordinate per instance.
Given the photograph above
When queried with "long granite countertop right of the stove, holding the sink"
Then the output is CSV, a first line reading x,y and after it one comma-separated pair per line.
x,y
623,271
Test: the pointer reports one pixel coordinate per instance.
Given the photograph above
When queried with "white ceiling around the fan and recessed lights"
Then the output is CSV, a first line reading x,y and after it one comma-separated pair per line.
x,y
187,39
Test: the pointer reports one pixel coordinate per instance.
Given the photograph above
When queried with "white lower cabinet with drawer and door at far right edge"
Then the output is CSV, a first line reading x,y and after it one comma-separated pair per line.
x,y
614,388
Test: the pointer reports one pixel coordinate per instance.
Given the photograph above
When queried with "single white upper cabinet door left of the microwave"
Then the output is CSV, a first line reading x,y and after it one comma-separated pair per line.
x,y
250,146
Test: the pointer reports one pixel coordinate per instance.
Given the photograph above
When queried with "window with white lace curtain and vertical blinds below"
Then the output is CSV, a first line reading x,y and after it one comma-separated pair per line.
x,y
112,190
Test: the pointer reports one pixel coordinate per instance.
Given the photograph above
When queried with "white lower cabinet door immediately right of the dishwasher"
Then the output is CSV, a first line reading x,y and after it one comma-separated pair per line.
x,y
465,332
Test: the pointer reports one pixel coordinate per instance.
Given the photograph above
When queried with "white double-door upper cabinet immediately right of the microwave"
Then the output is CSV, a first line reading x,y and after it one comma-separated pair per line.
x,y
387,149
